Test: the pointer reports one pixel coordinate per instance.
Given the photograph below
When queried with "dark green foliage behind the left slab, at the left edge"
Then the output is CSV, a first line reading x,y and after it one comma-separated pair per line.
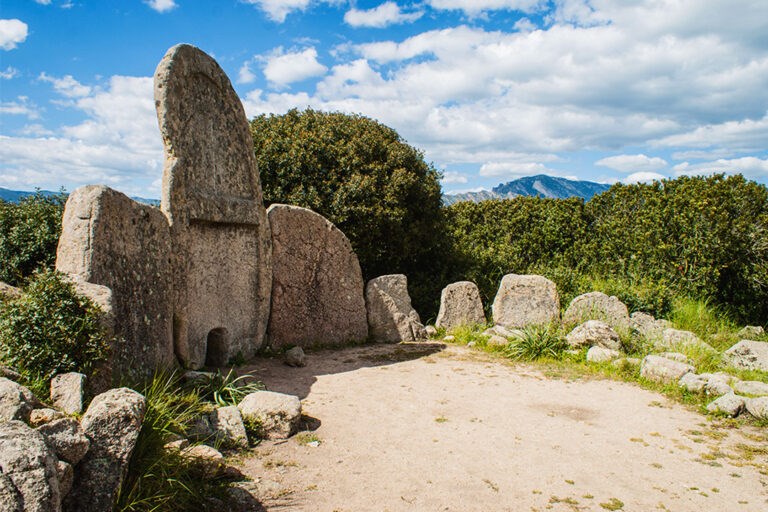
x,y
29,233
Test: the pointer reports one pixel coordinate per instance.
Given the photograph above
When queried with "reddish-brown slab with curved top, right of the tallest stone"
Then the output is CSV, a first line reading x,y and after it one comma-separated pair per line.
x,y
317,284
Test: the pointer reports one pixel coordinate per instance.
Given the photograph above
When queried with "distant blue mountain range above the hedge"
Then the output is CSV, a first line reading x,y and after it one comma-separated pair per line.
x,y
538,186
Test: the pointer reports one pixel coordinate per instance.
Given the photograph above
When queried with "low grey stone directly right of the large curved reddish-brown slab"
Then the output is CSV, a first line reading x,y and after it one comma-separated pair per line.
x,y
391,318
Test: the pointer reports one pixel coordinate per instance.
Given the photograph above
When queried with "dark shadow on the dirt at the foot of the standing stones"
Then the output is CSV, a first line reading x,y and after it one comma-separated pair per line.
x,y
281,378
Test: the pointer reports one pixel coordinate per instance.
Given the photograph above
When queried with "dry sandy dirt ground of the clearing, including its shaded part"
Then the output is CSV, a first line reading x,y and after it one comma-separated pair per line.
x,y
429,427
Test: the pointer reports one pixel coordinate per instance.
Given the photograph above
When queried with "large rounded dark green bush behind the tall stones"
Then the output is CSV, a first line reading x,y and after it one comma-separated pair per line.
x,y
365,179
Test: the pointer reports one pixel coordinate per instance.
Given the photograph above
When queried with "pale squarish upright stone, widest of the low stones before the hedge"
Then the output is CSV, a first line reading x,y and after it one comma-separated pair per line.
x,y
524,300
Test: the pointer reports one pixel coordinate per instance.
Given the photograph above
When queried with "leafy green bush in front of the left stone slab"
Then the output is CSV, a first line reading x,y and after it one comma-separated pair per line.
x,y
51,329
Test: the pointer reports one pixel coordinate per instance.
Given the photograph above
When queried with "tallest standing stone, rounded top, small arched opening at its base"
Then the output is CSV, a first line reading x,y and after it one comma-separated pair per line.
x,y
221,263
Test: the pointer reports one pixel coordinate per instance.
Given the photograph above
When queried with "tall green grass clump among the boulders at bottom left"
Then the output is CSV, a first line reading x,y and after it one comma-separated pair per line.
x,y
160,479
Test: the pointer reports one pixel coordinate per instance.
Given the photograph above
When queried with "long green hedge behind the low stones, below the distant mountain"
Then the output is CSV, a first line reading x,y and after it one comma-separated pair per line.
x,y
704,237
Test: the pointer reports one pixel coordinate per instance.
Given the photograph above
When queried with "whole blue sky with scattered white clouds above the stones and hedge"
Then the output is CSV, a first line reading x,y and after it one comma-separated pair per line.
x,y
490,90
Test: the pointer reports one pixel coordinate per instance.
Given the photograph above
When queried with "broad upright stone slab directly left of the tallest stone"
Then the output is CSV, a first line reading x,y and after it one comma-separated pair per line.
x,y
108,239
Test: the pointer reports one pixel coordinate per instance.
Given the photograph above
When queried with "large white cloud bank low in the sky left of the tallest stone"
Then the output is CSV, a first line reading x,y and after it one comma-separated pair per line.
x,y
117,144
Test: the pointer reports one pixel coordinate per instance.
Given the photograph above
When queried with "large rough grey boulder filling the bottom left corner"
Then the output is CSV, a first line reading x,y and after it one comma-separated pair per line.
x,y
28,476
